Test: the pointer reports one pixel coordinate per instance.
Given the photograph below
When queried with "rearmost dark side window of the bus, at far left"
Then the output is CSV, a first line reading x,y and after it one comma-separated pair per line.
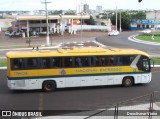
x,y
17,64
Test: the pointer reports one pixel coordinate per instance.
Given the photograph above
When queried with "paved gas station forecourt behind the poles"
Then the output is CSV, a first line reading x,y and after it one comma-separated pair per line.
x,y
55,39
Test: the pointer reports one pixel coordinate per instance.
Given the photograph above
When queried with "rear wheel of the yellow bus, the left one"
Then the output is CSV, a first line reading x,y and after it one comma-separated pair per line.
x,y
49,86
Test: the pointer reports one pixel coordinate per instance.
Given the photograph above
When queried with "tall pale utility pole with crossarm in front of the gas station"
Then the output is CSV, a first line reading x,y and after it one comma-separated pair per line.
x,y
47,37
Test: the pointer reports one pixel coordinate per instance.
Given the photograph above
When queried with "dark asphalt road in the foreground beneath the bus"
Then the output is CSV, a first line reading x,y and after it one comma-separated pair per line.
x,y
86,98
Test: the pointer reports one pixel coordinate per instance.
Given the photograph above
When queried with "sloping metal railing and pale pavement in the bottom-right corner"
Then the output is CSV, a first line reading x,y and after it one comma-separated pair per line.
x,y
143,107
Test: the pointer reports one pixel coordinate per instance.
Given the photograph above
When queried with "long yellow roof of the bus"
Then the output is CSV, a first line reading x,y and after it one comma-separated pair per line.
x,y
77,51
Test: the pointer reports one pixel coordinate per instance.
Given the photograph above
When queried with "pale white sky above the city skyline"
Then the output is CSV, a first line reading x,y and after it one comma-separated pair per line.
x,y
30,5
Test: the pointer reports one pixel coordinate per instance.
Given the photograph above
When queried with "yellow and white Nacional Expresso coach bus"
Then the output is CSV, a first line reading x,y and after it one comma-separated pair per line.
x,y
76,67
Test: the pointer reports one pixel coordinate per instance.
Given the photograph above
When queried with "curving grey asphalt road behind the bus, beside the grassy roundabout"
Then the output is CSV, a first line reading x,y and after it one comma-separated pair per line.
x,y
121,41
